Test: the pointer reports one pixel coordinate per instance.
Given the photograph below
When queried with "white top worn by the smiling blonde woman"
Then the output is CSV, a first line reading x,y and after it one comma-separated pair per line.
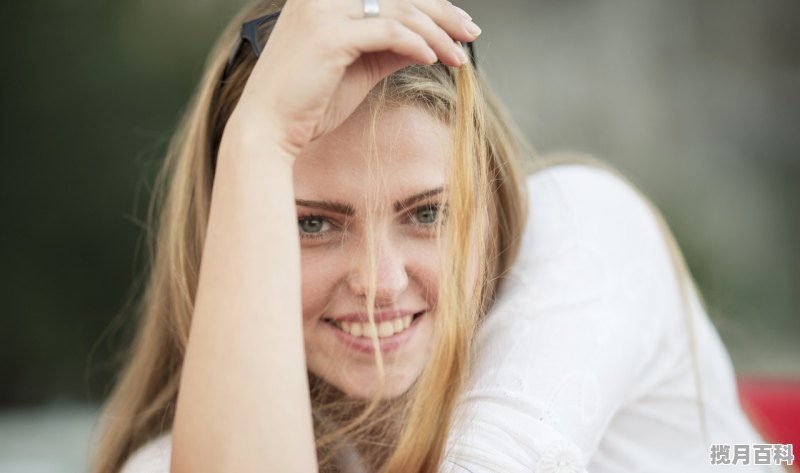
x,y
584,362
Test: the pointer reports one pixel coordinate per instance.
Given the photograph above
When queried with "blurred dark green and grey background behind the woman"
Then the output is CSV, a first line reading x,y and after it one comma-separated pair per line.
x,y
698,101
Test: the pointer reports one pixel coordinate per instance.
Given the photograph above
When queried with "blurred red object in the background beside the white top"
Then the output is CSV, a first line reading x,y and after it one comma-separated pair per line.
x,y
773,406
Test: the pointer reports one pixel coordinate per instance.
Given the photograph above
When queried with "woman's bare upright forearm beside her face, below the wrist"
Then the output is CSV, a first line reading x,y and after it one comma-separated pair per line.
x,y
245,354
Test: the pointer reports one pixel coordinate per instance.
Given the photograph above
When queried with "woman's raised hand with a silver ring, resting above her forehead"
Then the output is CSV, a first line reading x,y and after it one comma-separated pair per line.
x,y
323,57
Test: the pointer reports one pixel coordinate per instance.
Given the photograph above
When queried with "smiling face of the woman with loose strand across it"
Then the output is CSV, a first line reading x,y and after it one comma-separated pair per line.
x,y
333,187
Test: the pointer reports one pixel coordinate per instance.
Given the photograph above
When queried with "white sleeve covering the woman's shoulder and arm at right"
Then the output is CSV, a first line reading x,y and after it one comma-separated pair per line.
x,y
575,329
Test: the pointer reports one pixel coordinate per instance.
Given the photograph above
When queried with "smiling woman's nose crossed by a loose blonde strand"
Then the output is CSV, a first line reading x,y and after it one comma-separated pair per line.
x,y
391,278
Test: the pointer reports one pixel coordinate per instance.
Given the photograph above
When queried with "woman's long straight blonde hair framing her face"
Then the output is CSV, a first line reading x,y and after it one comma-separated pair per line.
x,y
486,201
